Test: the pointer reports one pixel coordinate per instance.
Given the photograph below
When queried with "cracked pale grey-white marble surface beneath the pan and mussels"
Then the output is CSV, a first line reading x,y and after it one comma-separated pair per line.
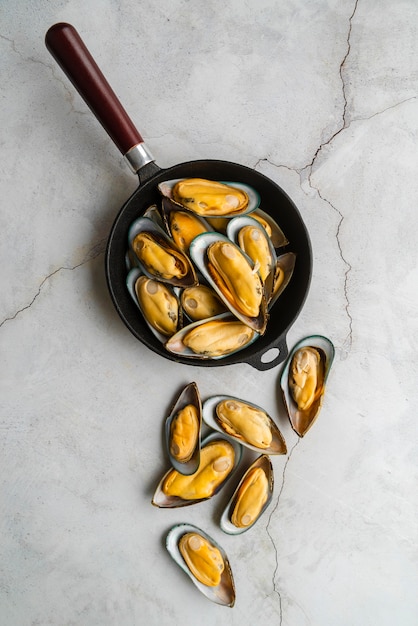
x,y
320,96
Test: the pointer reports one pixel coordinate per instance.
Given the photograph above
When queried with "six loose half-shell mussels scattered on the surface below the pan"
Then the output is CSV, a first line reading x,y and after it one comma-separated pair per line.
x,y
200,468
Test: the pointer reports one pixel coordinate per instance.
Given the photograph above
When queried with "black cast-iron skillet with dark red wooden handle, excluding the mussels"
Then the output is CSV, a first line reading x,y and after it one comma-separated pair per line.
x,y
65,45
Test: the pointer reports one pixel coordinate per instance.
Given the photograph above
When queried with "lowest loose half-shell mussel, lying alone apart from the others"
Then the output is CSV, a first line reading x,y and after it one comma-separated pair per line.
x,y
204,561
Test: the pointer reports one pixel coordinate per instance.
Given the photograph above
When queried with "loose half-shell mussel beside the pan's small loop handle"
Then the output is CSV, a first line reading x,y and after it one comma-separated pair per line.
x,y
303,380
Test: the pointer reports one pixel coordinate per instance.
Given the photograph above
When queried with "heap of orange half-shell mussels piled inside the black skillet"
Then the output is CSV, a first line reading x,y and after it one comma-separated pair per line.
x,y
205,268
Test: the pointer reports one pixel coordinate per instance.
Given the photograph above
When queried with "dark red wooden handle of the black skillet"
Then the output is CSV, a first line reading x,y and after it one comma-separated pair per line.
x,y
71,54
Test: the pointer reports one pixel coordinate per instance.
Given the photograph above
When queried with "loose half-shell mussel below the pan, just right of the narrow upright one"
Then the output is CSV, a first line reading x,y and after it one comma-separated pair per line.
x,y
245,422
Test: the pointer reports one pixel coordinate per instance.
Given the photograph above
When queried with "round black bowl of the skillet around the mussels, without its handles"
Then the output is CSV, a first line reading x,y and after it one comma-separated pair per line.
x,y
274,201
